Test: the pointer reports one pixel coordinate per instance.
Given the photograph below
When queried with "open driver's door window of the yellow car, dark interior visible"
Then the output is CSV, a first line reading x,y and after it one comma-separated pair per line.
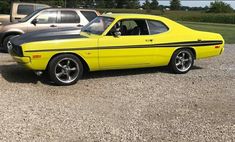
x,y
130,27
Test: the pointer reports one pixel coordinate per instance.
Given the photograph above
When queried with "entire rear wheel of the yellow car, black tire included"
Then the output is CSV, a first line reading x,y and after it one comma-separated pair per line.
x,y
182,61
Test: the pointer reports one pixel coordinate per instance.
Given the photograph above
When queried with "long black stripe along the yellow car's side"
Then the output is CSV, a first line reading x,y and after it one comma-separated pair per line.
x,y
174,44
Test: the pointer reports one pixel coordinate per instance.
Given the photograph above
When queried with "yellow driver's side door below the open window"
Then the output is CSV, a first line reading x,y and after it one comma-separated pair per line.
x,y
125,51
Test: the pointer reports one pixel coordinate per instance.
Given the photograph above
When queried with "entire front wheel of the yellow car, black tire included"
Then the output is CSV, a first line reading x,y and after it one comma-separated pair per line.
x,y
65,69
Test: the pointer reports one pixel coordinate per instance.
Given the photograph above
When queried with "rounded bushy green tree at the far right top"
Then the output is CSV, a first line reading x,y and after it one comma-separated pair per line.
x,y
220,7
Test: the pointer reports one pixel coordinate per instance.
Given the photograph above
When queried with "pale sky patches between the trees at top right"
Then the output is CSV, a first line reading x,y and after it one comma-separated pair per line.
x,y
194,3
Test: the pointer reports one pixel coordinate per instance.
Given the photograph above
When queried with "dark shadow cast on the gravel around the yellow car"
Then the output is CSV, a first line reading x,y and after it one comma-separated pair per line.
x,y
18,74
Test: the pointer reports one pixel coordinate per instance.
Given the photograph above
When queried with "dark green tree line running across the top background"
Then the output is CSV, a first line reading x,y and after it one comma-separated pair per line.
x,y
217,6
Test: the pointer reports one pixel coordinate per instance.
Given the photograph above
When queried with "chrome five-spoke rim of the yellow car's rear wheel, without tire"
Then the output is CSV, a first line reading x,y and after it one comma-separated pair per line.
x,y
183,61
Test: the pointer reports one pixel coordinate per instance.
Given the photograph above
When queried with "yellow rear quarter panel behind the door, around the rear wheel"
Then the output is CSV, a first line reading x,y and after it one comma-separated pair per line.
x,y
180,33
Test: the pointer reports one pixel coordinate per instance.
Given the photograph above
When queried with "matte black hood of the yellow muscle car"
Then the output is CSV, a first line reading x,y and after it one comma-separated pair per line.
x,y
45,35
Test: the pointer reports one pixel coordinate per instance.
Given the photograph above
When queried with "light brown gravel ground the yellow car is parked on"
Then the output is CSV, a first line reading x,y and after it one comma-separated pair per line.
x,y
128,105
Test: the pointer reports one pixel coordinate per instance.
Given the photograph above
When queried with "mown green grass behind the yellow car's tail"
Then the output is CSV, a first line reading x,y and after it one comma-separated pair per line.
x,y
226,30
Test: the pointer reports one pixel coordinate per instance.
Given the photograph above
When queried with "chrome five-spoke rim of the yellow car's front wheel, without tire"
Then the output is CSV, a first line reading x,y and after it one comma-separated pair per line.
x,y
67,70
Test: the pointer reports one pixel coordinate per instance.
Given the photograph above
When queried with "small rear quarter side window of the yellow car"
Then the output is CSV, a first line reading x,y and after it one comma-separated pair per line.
x,y
156,27
